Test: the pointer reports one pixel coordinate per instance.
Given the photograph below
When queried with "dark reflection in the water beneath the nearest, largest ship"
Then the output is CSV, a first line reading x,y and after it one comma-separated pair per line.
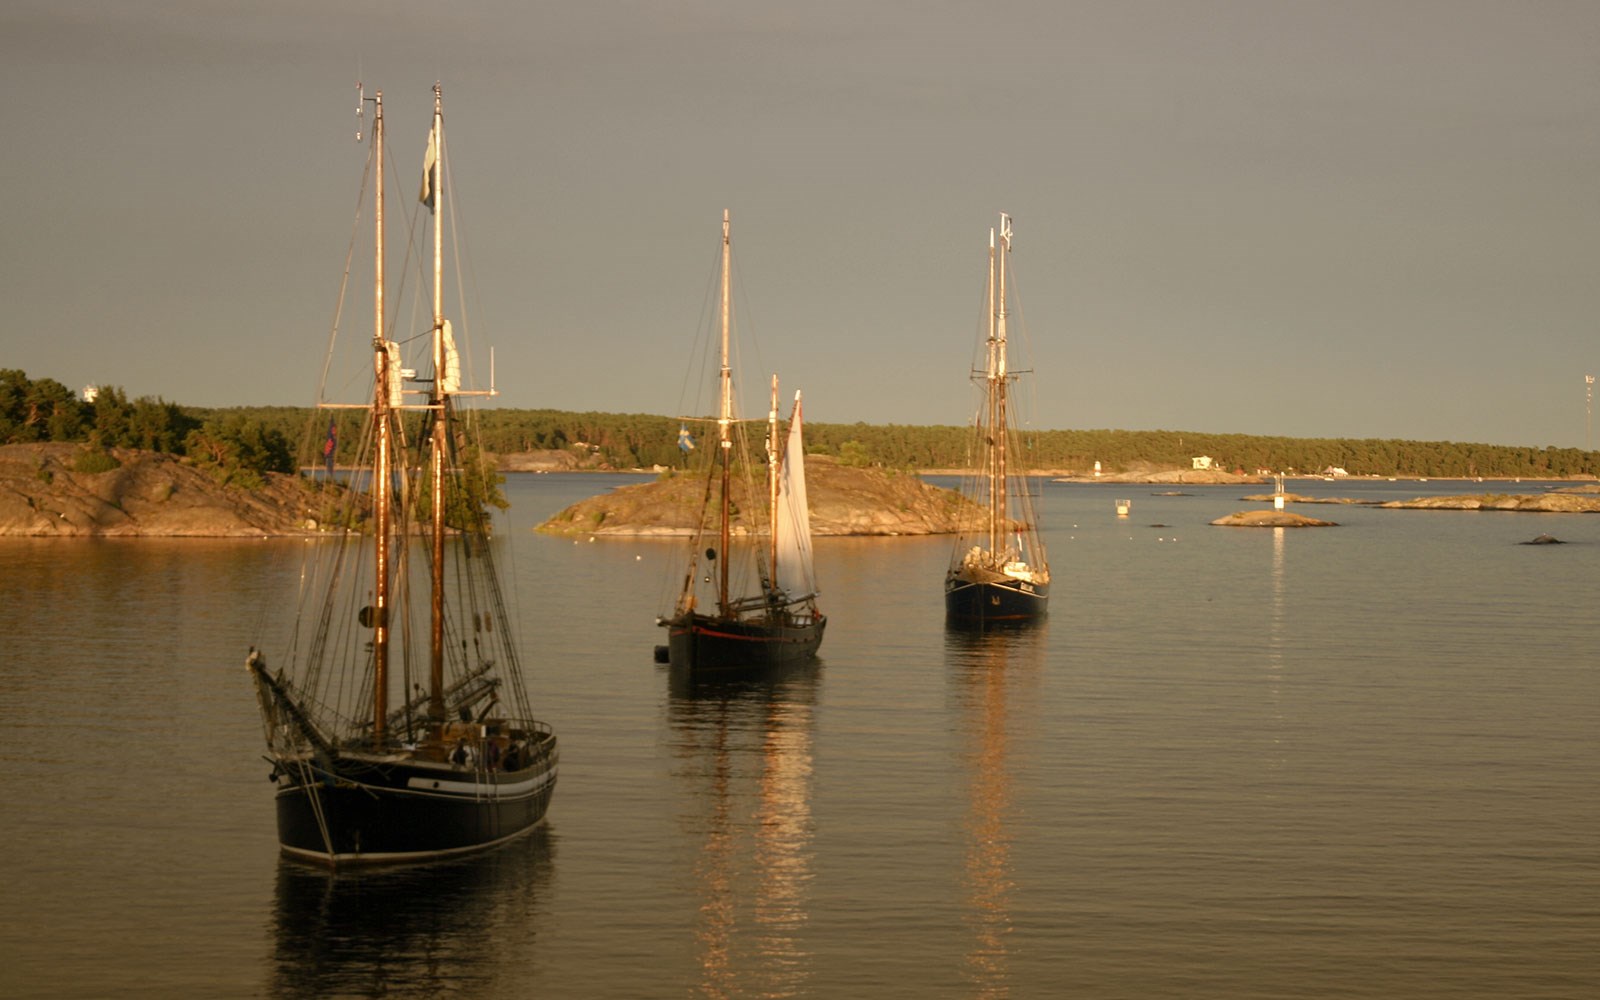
x,y
414,932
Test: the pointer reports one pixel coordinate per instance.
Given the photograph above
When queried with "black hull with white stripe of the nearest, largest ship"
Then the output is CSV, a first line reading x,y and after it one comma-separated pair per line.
x,y
358,810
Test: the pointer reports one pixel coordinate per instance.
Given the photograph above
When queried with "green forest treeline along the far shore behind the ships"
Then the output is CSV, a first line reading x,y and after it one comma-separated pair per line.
x,y
255,439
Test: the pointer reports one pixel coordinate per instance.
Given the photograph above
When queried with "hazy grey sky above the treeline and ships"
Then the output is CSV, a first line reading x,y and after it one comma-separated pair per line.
x,y
1361,218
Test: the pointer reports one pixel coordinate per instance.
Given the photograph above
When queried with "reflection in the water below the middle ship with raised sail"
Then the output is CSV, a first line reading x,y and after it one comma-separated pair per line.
x,y
745,751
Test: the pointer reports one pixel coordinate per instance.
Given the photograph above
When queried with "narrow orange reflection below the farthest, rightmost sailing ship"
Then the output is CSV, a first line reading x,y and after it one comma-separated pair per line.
x,y
988,671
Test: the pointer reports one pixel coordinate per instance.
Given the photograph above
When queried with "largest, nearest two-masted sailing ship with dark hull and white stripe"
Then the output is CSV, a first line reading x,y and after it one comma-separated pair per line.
x,y
406,599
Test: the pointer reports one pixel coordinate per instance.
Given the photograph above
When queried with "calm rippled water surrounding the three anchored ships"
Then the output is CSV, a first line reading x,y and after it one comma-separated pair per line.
x,y
1348,762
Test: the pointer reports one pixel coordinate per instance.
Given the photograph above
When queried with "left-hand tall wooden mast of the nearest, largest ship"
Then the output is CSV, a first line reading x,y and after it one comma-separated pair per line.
x,y
382,418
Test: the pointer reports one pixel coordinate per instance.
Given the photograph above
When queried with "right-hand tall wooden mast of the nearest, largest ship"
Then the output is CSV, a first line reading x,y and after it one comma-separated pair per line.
x,y
441,404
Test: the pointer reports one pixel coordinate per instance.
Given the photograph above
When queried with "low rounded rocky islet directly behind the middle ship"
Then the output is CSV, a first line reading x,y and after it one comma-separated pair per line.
x,y
844,500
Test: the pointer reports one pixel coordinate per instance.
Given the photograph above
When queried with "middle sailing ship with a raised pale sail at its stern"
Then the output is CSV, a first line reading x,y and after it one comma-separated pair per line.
x,y
750,596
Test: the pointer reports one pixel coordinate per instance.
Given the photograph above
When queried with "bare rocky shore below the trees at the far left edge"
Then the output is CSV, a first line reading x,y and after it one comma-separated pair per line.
x,y
44,494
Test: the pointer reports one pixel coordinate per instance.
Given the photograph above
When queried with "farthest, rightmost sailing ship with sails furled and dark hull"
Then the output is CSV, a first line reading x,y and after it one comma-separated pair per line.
x,y
999,572
